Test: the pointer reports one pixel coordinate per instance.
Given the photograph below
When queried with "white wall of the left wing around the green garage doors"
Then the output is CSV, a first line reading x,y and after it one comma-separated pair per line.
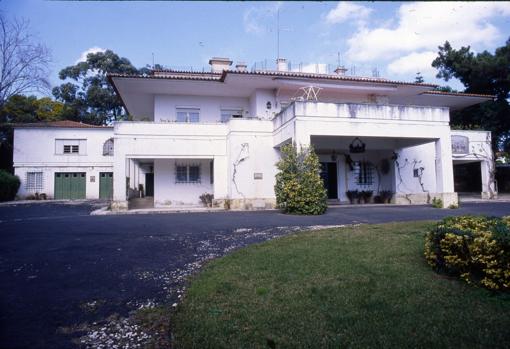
x,y
34,151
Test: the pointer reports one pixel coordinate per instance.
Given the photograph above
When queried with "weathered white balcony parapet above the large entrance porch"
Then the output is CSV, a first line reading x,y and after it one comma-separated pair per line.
x,y
351,111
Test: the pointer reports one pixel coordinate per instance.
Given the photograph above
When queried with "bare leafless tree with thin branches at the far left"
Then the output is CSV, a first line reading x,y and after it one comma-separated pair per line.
x,y
23,62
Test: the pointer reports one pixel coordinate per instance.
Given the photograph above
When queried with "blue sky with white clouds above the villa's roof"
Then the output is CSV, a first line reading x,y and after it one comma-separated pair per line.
x,y
398,39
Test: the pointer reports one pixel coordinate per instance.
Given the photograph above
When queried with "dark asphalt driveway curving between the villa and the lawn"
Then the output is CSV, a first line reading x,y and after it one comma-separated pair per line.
x,y
68,277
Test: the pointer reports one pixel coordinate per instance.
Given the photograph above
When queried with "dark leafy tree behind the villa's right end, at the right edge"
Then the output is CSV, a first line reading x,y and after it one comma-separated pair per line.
x,y
484,73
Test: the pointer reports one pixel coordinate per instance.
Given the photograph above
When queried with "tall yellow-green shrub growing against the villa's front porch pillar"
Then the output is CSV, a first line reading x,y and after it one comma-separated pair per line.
x,y
299,188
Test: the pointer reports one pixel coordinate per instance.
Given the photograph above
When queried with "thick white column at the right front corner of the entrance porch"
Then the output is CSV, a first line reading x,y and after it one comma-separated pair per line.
x,y
444,171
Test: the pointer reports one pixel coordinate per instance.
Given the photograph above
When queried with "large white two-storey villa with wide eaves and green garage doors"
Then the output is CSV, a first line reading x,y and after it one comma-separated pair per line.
x,y
219,132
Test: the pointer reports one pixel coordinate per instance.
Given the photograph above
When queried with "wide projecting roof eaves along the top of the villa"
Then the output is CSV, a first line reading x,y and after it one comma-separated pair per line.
x,y
137,92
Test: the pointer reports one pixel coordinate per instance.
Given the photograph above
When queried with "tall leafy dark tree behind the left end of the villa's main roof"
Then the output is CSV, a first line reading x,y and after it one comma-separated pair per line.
x,y
86,94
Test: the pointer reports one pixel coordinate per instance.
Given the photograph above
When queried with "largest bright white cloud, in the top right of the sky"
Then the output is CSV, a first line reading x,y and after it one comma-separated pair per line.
x,y
426,25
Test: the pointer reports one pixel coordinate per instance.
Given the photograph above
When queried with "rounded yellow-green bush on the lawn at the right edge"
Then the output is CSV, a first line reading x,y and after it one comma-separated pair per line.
x,y
475,248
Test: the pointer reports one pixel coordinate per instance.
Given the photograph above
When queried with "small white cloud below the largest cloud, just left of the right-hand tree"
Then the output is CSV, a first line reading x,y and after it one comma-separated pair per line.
x,y
414,63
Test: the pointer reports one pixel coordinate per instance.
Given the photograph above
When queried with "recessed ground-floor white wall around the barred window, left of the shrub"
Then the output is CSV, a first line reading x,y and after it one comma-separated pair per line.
x,y
169,193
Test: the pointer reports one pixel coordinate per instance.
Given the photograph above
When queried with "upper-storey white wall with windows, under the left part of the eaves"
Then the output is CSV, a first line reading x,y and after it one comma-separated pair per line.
x,y
165,106
